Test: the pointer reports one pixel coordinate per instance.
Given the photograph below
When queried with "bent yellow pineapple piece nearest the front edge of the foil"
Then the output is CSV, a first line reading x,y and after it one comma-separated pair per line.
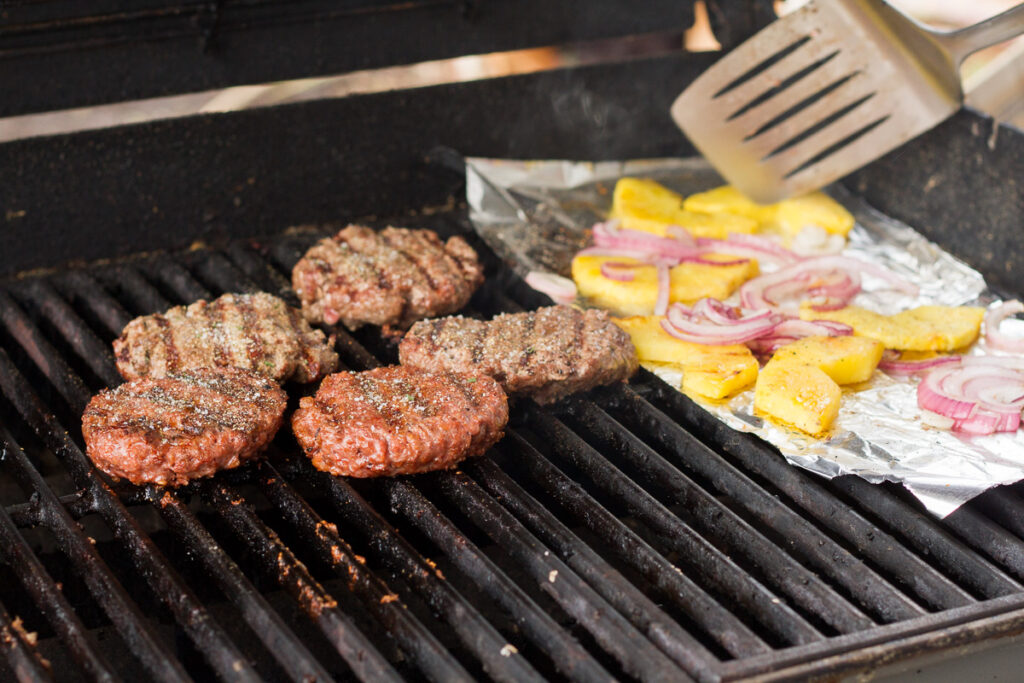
x,y
800,386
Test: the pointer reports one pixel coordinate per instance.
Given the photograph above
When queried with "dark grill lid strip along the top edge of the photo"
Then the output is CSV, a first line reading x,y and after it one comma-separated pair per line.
x,y
111,51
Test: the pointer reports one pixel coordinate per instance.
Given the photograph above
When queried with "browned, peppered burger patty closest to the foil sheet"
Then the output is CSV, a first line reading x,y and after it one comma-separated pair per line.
x,y
547,354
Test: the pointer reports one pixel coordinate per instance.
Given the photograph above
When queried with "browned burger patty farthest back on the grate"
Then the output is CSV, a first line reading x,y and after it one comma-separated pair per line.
x,y
395,277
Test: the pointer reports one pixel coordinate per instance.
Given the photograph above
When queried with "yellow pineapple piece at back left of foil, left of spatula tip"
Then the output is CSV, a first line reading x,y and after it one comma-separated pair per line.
x,y
646,205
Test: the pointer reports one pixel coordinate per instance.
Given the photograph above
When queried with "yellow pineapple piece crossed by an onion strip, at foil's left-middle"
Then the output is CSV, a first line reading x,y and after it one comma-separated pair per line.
x,y
637,297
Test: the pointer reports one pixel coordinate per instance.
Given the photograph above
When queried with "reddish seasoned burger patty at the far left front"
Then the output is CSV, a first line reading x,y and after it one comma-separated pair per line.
x,y
173,430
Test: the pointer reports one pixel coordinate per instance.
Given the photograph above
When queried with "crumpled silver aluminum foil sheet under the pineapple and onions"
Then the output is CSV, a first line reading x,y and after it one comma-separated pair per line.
x,y
536,216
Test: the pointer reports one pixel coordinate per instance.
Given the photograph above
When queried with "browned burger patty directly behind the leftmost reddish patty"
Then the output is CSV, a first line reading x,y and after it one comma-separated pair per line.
x,y
255,332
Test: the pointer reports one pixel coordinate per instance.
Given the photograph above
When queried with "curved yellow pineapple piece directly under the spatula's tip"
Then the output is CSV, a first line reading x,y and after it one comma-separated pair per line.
x,y
788,218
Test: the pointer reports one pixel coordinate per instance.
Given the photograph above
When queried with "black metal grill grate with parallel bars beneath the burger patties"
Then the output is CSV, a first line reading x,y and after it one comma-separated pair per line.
x,y
621,534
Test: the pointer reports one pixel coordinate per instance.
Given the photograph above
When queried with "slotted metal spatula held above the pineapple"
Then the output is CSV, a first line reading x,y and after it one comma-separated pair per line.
x,y
827,90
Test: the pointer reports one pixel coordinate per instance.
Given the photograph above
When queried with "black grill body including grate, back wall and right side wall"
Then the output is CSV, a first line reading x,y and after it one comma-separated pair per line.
x,y
622,534
